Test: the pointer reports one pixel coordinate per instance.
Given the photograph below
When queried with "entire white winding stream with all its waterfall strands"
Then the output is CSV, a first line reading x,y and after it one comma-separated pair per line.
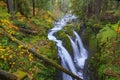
x,y
76,64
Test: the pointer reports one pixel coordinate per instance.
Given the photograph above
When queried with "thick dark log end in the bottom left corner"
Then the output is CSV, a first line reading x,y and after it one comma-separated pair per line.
x,y
7,76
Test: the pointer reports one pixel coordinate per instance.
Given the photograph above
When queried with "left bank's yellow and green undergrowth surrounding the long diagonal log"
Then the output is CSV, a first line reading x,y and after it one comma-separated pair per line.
x,y
32,32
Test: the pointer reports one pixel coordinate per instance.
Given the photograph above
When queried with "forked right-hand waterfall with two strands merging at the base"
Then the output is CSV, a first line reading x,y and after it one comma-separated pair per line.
x,y
80,54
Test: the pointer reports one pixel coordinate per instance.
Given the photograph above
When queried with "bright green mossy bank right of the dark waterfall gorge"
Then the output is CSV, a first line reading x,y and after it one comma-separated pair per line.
x,y
107,57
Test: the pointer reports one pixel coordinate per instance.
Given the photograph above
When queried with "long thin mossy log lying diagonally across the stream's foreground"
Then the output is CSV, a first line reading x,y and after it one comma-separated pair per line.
x,y
40,56
